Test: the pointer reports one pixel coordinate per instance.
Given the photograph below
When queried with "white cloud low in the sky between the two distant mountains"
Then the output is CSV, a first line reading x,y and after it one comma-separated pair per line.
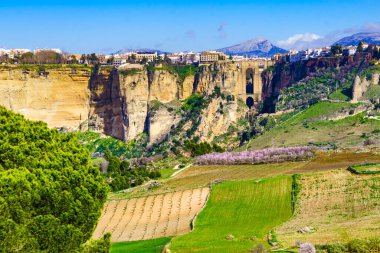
x,y
301,41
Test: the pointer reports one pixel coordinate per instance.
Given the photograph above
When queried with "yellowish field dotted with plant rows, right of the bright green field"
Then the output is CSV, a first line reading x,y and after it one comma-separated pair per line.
x,y
341,206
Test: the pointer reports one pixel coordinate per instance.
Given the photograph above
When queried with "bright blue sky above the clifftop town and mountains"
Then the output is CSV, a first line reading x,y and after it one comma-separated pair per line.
x,y
108,26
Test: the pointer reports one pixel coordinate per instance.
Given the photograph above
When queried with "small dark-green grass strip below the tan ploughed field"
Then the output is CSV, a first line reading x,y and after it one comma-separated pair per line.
x,y
148,246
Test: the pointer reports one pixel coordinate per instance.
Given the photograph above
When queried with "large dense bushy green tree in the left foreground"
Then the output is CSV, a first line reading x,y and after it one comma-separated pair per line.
x,y
50,195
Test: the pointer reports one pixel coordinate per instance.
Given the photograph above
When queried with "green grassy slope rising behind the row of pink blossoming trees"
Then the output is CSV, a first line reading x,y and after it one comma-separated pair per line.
x,y
307,127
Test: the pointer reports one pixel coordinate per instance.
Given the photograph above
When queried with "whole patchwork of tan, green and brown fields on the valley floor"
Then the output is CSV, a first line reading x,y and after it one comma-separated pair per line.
x,y
247,202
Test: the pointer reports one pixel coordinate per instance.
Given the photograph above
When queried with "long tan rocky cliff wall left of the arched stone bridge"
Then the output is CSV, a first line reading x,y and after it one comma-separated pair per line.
x,y
119,103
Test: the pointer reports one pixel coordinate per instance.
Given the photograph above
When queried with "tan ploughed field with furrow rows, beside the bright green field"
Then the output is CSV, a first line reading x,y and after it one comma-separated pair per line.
x,y
149,217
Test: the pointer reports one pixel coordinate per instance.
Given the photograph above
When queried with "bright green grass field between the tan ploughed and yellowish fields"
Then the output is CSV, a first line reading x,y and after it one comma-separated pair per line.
x,y
247,210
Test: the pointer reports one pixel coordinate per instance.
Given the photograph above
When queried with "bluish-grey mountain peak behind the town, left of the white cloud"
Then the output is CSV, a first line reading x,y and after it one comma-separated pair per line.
x,y
253,48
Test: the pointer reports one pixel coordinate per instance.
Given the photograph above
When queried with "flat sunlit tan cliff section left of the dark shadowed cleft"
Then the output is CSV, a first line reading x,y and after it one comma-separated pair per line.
x,y
60,97
